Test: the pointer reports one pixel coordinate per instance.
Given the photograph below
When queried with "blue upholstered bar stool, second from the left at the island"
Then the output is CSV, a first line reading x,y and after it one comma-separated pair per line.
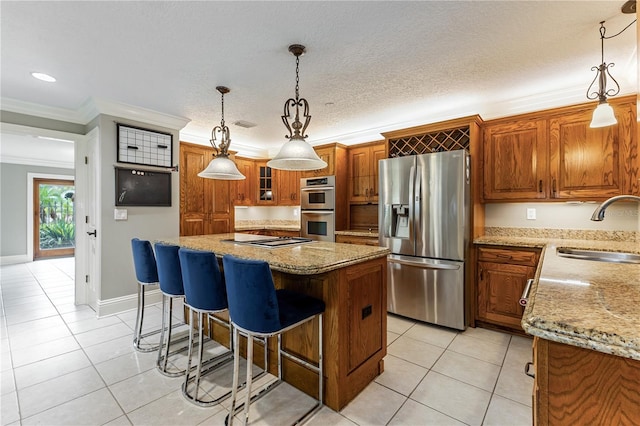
x,y
170,277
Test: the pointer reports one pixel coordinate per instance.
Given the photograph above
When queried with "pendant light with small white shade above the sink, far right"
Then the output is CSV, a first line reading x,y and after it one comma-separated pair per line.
x,y
603,115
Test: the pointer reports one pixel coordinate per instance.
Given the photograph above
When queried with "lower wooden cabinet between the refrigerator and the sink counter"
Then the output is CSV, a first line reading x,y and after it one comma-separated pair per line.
x,y
502,274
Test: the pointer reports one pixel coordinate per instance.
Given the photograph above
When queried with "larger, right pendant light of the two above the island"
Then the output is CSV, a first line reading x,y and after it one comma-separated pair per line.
x,y
296,153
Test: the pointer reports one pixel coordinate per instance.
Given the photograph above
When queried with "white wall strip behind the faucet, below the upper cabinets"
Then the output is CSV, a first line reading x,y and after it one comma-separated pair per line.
x,y
618,217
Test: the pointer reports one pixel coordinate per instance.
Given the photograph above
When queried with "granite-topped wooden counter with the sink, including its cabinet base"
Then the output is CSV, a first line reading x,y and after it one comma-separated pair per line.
x,y
585,320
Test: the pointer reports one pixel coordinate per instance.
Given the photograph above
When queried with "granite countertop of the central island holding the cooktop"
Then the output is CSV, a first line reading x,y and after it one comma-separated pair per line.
x,y
305,259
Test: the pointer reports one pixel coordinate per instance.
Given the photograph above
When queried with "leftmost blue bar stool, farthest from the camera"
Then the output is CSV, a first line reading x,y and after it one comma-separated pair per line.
x,y
144,263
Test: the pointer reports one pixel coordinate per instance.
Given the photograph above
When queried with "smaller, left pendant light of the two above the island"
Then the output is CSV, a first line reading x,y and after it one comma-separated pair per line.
x,y
221,167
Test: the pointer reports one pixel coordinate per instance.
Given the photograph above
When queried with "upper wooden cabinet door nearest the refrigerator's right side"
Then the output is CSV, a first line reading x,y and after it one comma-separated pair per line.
x,y
515,161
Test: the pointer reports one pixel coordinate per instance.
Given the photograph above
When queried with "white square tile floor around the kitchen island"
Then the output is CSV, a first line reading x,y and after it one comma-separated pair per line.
x,y
62,366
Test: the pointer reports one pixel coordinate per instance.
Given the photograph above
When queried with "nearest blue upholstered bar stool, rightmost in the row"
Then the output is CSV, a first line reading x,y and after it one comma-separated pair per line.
x,y
257,309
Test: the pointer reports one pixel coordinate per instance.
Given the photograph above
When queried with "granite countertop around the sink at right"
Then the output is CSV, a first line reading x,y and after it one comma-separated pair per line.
x,y
585,303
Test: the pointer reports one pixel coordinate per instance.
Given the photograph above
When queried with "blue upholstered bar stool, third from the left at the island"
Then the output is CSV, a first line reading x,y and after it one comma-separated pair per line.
x,y
206,294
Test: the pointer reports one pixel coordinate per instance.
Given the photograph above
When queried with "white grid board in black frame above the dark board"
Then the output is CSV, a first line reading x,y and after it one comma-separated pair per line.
x,y
143,146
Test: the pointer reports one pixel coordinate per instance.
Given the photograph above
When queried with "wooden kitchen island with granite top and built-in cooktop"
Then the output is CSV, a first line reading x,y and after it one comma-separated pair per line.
x,y
352,281
